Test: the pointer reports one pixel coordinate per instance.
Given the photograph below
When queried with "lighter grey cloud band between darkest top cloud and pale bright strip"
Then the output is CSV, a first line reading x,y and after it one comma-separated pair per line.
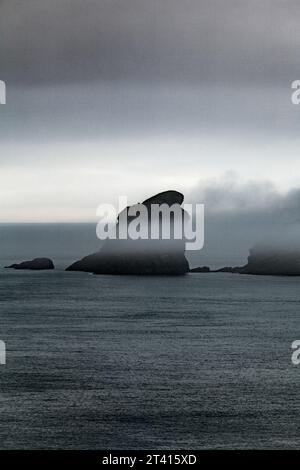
x,y
98,111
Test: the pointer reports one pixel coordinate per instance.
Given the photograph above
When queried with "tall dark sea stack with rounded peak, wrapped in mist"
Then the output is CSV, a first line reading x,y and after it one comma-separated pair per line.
x,y
148,257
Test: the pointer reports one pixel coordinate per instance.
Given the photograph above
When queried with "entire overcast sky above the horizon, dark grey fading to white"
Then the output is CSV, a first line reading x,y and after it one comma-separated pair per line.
x,y
133,97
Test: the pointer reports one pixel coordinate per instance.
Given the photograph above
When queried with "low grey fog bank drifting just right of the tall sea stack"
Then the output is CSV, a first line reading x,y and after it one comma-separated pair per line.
x,y
242,215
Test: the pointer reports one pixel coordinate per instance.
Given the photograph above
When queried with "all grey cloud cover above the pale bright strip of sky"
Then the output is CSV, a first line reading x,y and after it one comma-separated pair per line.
x,y
94,68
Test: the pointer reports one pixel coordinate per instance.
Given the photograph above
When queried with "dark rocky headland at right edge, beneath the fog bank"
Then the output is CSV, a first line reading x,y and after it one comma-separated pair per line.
x,y
273,261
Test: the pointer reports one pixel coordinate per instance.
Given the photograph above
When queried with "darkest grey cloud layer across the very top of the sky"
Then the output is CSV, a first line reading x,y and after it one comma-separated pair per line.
x,y
150,40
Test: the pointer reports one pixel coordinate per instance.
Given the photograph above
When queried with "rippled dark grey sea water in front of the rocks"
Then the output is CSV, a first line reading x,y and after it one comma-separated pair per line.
x,y
111,362
